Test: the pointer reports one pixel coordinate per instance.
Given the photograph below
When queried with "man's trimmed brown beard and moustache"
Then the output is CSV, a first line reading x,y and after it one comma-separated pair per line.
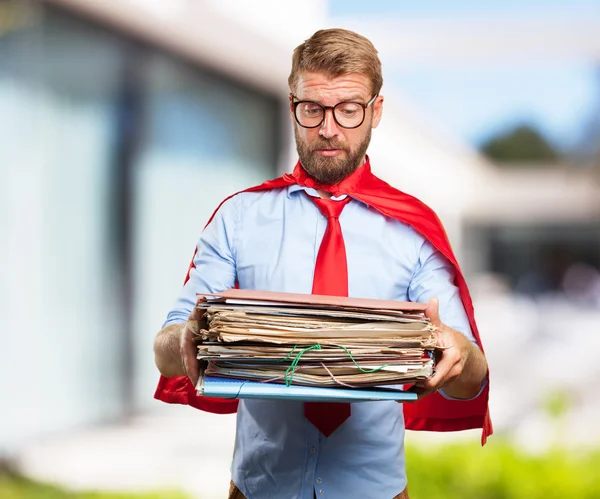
x,y
330,171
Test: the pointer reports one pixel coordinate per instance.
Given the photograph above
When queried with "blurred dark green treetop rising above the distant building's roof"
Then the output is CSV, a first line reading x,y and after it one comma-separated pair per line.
x,y
522,144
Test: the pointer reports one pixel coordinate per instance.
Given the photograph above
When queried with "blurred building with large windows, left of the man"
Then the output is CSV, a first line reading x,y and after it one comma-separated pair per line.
x,y
121,128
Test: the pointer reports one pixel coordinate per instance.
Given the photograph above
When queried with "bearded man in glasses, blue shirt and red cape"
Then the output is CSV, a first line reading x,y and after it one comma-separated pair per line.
x,y
379,243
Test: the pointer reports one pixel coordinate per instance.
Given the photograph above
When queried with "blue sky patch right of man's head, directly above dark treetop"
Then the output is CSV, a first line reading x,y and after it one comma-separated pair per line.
x,y
477,102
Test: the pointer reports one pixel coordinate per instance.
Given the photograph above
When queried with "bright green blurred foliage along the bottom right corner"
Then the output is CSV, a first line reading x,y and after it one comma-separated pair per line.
x,y
500,471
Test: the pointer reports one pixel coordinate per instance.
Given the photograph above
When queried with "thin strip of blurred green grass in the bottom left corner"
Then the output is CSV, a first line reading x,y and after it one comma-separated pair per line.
x,y
16,487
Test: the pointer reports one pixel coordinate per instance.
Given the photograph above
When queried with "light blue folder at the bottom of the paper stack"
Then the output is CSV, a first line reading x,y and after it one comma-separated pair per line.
x,y
227,388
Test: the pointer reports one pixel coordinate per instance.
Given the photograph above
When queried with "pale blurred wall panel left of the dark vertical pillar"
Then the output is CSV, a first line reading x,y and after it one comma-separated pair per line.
x,y
58,320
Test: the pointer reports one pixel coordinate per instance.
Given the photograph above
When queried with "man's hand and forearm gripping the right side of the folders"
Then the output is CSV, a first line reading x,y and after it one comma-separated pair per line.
x,y
461,366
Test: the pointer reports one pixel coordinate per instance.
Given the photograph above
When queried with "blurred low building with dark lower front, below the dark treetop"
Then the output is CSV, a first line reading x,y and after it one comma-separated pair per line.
x,y
532,223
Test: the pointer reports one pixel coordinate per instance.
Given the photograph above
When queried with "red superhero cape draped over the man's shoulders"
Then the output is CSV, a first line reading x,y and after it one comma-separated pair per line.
x,y
432,413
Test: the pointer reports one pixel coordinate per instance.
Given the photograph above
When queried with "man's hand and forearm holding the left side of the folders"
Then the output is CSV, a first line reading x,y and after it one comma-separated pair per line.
x,y
175,349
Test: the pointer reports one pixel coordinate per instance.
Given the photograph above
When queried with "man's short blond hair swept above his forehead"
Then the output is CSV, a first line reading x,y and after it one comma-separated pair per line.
x,y
337,52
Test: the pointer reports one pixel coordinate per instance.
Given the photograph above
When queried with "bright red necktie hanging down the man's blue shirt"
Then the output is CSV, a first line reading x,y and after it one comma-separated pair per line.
x,y
330,278
